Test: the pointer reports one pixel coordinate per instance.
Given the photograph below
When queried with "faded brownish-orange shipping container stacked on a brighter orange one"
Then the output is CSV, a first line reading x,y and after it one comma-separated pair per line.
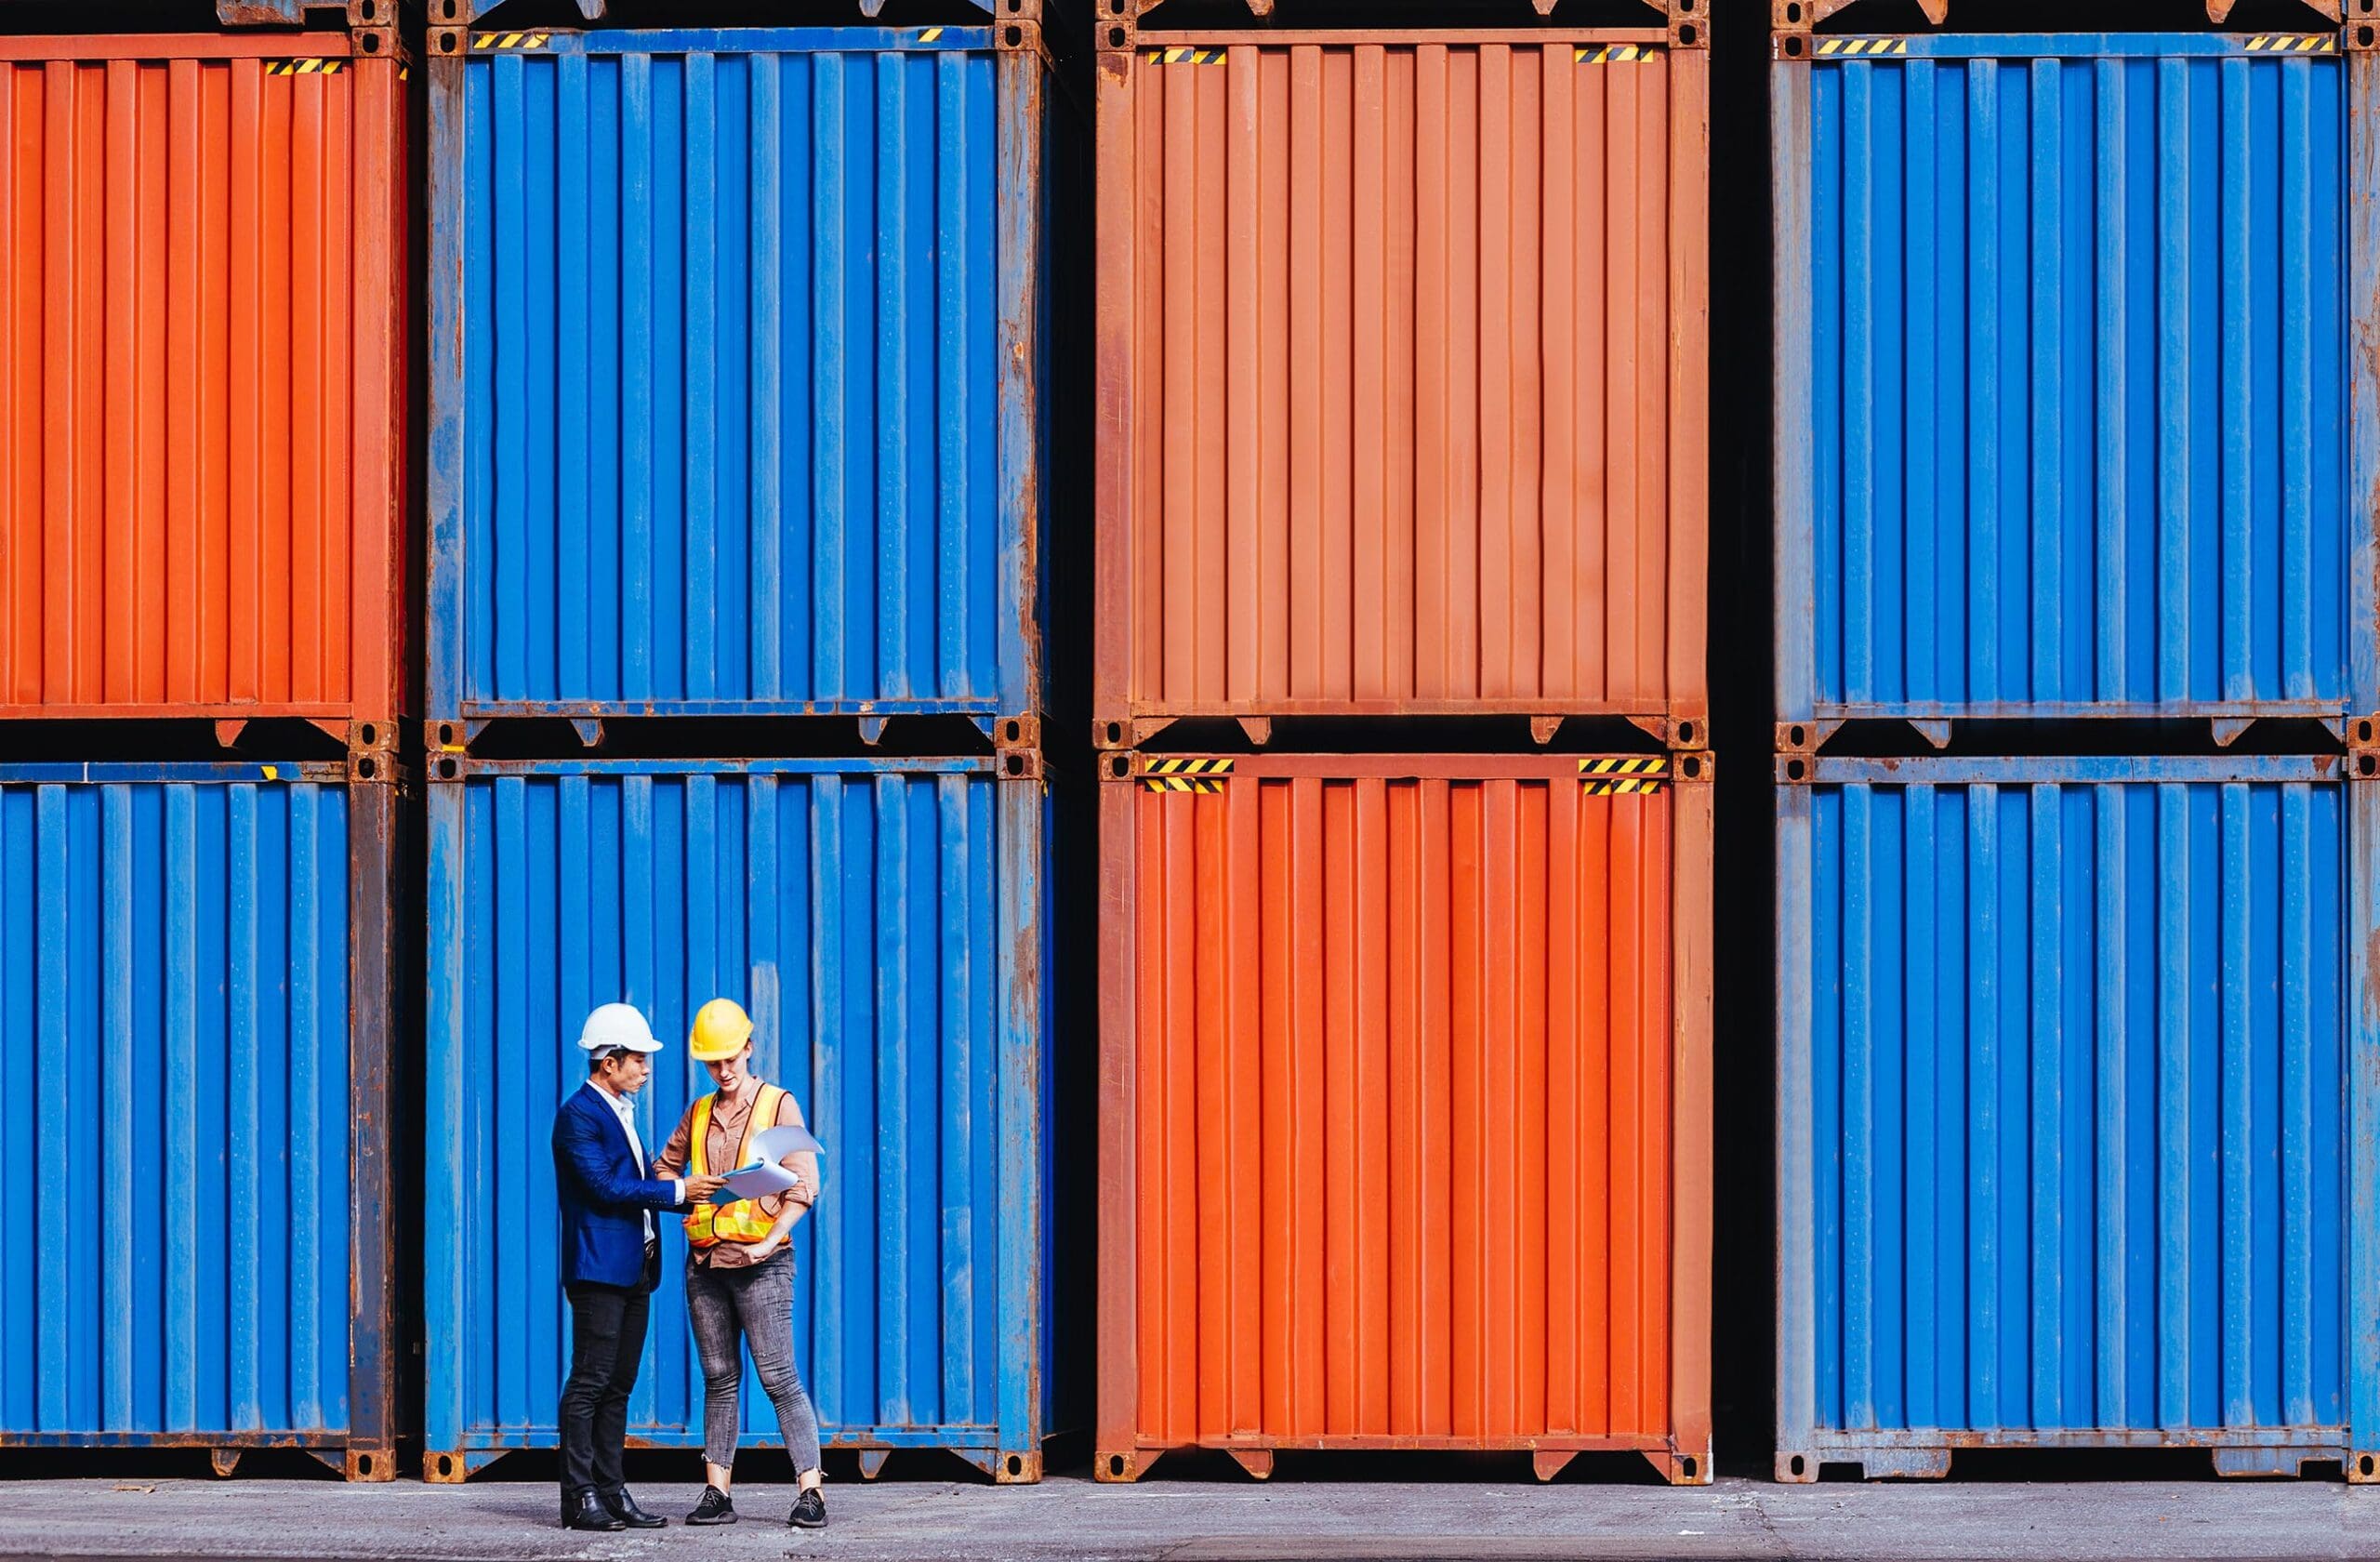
x,y
1403,375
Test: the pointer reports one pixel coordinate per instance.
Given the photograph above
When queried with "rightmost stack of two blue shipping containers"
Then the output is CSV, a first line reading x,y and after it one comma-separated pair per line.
x,y
2077,1125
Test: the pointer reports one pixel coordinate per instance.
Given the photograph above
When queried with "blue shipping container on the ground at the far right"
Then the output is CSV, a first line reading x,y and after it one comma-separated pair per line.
x,y
2079,1111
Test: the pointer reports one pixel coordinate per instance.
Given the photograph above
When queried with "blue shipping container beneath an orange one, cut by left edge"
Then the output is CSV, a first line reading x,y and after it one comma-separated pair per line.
x,y
196,999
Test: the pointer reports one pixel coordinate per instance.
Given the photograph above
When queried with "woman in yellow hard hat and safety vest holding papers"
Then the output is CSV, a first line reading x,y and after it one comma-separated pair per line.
x,y
739,1277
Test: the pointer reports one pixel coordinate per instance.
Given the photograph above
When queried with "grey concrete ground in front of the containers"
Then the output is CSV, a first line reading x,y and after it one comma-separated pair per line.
x,y
1215,1523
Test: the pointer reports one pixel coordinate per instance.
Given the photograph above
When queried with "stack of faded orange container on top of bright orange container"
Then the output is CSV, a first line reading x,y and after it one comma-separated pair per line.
x,y
1405,1058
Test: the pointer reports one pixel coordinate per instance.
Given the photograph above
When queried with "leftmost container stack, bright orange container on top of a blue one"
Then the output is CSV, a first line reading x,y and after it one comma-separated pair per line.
x,y
203,520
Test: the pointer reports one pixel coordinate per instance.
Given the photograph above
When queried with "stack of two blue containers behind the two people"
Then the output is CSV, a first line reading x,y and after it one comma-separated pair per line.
x,y
739,449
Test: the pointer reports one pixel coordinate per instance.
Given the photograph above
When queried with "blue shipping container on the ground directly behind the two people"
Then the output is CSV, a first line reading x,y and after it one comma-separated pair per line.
x,y
884,927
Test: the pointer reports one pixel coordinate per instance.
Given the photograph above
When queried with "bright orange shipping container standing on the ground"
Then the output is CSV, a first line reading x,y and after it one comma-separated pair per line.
x,y
1405,1106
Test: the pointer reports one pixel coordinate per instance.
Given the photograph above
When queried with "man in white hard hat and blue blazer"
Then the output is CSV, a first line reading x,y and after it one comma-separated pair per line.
x,y
610,1261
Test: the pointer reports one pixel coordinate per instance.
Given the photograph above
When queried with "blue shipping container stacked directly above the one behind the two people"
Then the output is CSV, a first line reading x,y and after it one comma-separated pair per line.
x,y
737,373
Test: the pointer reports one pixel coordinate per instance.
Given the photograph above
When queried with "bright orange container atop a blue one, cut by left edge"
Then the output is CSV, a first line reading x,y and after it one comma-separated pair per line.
x,y
201,377
